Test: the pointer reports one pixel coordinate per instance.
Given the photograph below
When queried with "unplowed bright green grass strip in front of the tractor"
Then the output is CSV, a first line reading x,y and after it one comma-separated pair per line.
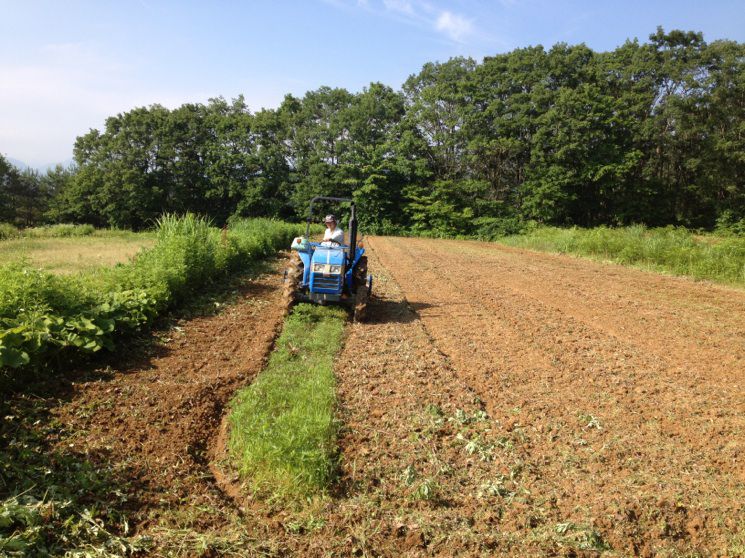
x,y
282,427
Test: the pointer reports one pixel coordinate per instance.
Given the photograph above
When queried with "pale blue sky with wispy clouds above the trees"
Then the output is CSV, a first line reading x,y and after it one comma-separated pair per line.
x,y
66,66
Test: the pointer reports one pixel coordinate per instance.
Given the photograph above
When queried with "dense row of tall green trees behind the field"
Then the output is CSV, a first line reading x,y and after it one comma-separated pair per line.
x,y
650,133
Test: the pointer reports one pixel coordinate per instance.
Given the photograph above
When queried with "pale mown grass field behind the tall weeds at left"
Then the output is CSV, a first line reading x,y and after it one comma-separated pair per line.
x,y
66,255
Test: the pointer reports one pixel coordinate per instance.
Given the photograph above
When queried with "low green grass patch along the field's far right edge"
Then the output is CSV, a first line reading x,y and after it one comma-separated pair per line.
x,y
671,250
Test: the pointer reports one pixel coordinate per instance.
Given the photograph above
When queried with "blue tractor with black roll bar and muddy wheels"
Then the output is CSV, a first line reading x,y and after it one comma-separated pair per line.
x,y
323,272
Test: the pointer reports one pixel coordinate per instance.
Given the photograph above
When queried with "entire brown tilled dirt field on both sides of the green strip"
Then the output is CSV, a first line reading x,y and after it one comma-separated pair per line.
x,y
498,402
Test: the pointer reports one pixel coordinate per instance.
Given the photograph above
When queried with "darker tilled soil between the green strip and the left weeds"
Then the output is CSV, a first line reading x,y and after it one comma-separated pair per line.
x,y
158,414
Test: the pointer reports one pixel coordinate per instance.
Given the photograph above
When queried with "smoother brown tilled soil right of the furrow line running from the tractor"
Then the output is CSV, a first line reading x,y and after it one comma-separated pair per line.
x,y
628,387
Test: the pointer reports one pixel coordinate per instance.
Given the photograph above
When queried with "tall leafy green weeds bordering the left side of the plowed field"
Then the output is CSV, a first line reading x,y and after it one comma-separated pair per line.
x,y
42,314
